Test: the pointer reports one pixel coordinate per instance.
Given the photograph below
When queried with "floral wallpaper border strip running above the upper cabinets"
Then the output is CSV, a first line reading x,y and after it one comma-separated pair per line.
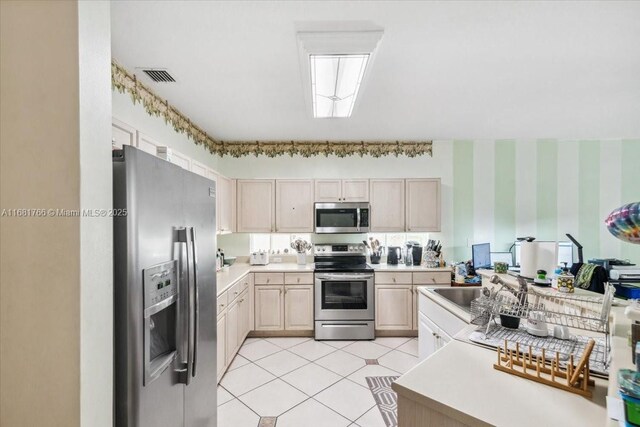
x,y
123,81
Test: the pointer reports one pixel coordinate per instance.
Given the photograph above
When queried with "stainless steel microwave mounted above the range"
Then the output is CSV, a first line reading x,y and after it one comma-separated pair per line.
x,y
338,218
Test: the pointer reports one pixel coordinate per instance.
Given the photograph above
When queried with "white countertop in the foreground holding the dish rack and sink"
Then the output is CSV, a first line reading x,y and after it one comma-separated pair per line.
x,y
459,380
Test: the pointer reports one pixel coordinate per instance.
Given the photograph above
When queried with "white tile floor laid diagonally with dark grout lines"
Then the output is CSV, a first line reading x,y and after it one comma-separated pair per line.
x,y
309,383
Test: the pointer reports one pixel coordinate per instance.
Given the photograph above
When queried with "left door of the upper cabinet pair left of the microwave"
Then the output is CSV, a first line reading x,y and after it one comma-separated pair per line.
x,y
256,206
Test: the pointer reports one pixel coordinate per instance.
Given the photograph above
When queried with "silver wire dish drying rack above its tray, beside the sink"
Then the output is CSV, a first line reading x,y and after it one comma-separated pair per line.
x,y
588,313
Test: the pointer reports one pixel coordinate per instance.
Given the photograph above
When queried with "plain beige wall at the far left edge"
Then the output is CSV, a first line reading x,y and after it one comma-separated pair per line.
x,y
40,266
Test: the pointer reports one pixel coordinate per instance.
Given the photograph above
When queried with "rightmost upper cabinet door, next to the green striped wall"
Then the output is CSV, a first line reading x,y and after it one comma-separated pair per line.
x,y
423,204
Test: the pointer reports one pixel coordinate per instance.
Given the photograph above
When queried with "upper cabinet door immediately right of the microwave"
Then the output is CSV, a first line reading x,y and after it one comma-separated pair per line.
x,y
387,205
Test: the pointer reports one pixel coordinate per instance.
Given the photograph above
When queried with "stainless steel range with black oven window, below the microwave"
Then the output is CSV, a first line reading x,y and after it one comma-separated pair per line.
x,y
344,293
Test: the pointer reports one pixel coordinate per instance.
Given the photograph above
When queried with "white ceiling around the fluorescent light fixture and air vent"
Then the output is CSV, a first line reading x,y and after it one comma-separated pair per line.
x,y
443,70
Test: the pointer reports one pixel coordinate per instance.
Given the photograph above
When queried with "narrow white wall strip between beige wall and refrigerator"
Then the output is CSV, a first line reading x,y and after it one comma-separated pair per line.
x,y
96,233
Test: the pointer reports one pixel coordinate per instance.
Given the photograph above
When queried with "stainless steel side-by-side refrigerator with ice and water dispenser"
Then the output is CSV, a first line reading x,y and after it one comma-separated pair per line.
x,y
165,290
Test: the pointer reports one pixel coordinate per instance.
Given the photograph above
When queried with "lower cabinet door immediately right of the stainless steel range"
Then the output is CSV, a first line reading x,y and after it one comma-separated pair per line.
x,y
394,307
